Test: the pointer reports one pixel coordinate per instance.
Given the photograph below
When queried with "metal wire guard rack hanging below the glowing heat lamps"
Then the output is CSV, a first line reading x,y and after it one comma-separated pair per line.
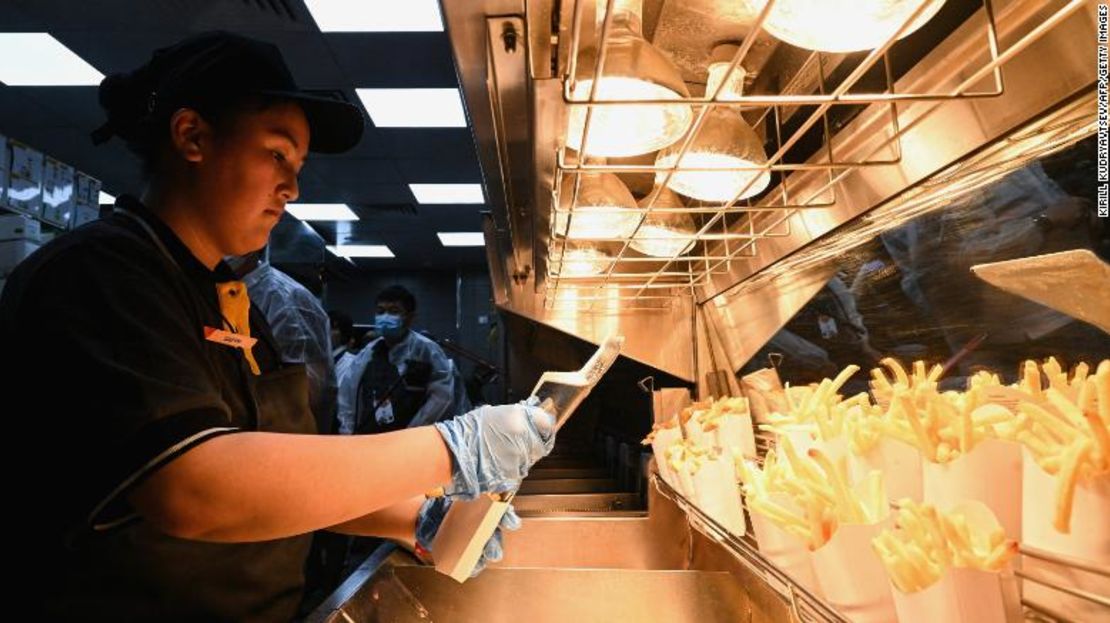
x,y
719,243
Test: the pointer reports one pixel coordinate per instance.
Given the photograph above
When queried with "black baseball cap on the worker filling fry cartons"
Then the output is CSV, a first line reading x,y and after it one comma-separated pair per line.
x,y
215,66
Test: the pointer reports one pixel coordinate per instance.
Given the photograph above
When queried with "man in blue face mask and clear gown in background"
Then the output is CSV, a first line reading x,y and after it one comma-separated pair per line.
x,y
401,379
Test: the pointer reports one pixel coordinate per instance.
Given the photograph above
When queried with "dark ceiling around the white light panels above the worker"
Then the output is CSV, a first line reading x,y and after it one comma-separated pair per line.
x,y
117,36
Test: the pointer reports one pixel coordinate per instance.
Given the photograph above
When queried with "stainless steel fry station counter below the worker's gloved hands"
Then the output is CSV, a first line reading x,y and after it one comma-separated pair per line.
x,y
567,567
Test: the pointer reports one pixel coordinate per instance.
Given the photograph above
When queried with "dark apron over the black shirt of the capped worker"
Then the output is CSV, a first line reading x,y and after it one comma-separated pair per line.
x,y
137,574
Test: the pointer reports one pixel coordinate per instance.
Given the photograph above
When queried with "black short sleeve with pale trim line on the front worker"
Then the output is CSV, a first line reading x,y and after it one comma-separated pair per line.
x,y
112,317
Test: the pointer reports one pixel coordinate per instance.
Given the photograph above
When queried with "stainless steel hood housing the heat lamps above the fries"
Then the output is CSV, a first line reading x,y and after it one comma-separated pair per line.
x,y
993,67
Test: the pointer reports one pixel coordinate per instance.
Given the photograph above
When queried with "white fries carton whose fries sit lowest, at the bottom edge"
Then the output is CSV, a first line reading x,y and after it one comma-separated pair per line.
x,y
952,566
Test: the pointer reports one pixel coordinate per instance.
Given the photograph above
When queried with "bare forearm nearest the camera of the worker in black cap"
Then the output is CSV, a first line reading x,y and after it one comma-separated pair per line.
x,y
257,487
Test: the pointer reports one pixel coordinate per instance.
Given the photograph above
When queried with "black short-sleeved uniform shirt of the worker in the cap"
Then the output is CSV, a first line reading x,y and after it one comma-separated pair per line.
x,y
105,337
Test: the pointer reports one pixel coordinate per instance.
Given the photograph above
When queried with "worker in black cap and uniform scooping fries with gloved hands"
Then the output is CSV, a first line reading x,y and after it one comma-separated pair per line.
x,y
175,471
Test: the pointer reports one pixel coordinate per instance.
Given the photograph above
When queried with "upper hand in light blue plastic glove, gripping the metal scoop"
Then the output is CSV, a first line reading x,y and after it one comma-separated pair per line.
x,y
496,447
